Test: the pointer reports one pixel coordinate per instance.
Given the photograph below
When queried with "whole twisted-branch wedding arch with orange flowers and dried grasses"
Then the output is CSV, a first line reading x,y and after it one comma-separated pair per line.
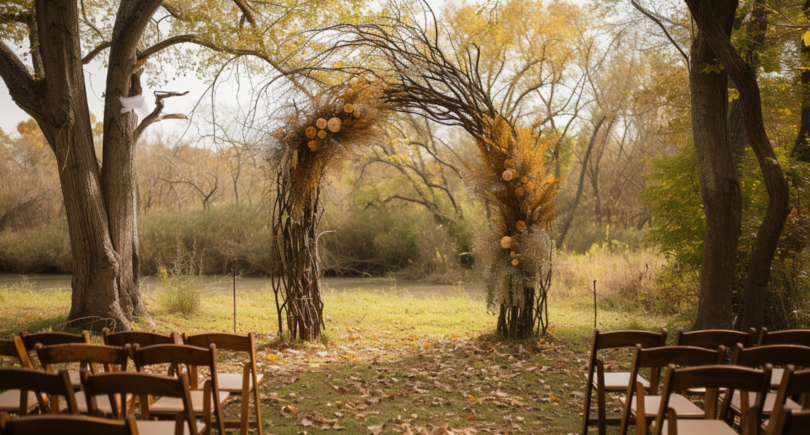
x,y
414,75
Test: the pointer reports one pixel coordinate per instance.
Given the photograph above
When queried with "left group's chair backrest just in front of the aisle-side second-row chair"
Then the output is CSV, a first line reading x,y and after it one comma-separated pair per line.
x,y
118,385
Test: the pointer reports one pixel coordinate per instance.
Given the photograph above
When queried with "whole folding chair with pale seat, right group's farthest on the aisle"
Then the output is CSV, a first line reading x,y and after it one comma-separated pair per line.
x,y
612,382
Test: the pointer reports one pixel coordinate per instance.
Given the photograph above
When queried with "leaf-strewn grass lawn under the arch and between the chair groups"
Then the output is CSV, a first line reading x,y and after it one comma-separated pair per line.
x,y
396,357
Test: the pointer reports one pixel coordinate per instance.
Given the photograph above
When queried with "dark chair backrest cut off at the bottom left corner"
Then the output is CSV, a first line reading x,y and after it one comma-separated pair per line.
x,y
66,425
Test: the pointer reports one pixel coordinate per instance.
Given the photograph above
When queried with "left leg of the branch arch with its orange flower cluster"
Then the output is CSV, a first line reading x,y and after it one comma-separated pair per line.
x,y
315,135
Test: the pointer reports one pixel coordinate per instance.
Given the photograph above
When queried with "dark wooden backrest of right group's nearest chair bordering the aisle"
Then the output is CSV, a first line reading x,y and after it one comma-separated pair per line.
x,y
714,377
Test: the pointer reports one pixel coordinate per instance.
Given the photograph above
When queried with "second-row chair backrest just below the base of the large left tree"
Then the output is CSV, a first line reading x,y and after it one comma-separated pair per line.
x,y
111,358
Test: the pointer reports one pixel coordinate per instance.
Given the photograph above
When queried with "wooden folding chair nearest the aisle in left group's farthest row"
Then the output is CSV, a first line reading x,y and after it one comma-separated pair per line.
x,y
246,383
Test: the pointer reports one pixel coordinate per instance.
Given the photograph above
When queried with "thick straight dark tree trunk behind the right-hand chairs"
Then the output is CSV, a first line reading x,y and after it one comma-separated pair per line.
x,y
719,179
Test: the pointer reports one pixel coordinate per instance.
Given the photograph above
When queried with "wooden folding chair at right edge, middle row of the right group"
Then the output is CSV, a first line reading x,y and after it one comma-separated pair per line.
x,y
778,356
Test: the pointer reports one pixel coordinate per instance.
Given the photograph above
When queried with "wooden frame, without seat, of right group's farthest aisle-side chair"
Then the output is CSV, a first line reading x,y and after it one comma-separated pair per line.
x,y
596,368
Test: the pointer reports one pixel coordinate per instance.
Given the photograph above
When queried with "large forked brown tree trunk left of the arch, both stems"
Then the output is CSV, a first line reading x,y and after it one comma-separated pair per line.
x,y
99,202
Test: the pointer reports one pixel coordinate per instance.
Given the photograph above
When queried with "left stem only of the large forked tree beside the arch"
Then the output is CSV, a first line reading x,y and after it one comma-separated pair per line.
x,y
65,121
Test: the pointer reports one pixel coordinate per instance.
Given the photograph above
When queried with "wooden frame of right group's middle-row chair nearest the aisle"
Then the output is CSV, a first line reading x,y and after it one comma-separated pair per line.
x,y
655,359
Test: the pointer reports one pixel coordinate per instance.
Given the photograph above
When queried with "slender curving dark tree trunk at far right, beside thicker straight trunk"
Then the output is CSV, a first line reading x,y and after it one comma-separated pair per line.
x,y
764,249
